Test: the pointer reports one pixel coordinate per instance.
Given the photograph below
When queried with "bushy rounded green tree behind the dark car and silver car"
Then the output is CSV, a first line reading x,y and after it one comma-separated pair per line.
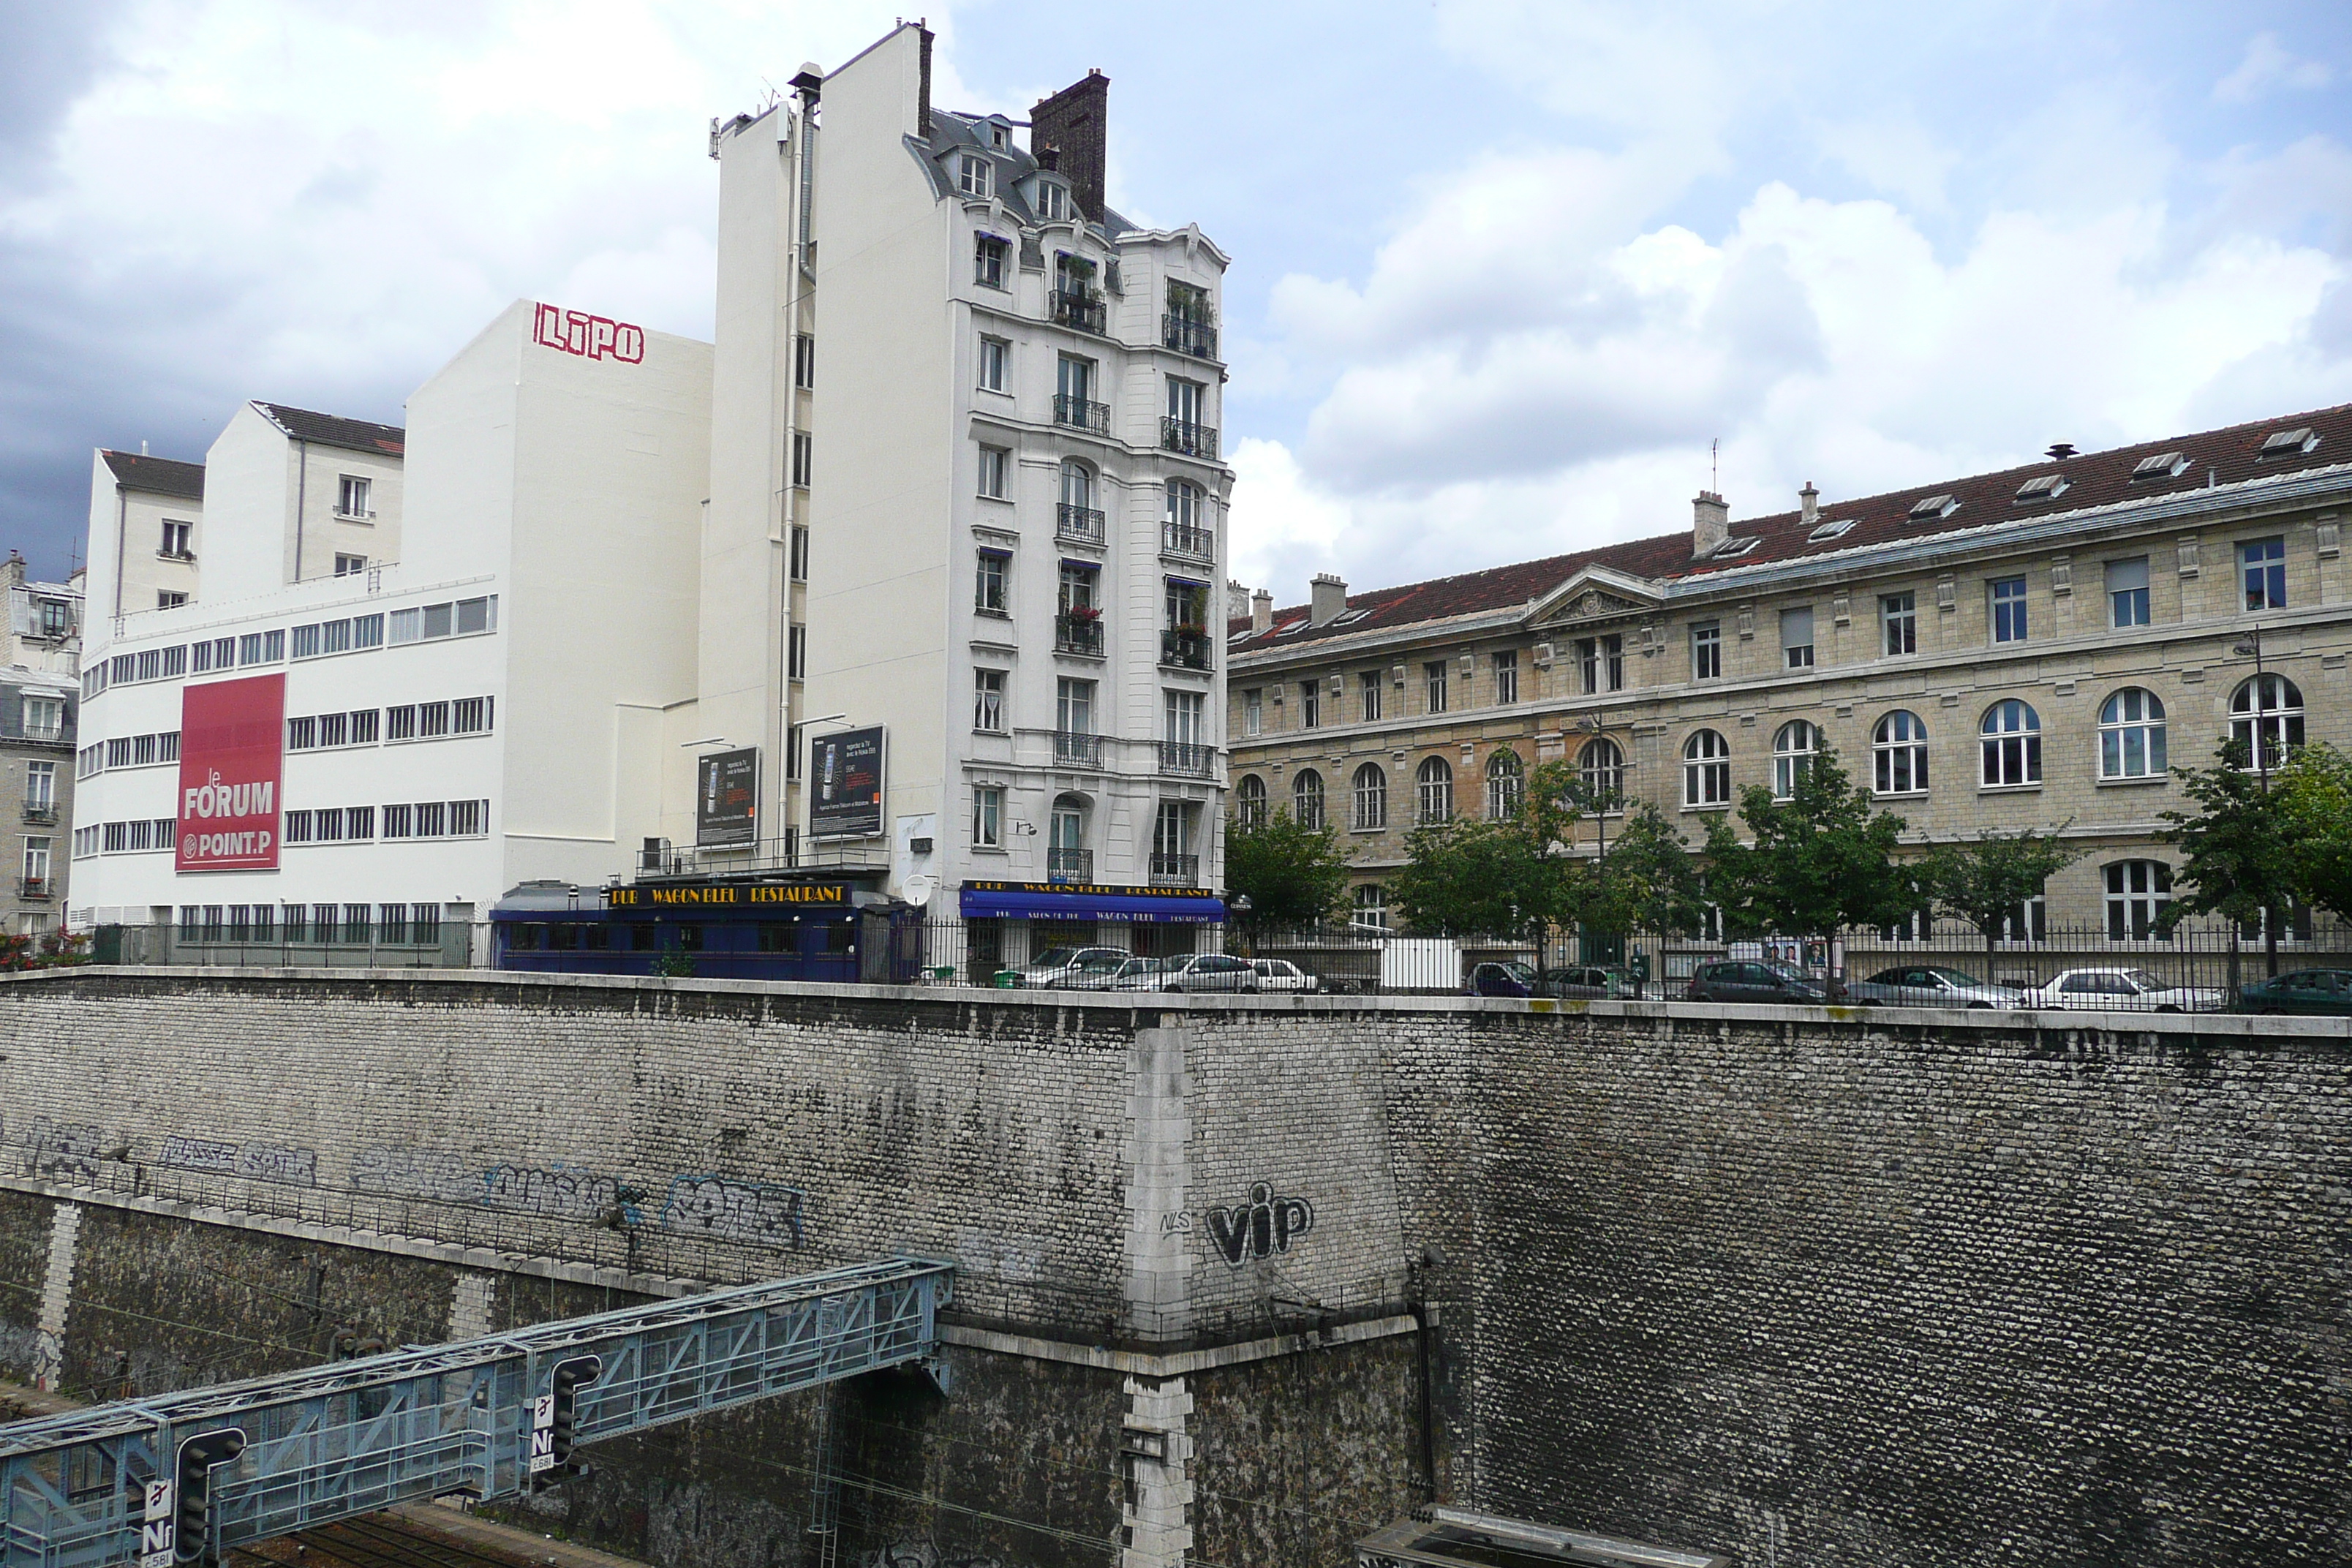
x,y
1819,862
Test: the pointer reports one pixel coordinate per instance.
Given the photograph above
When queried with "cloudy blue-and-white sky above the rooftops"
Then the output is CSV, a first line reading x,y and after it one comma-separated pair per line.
x,y
1511,276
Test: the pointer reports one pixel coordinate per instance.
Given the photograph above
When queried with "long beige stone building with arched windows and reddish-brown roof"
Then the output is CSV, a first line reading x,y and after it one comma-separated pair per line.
x,y
2033,648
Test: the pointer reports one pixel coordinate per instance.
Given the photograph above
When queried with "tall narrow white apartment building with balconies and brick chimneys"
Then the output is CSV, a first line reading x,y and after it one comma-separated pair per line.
x,y
968,420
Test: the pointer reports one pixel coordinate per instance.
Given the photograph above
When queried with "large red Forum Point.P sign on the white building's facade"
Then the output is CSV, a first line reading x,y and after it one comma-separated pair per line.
x,y
232,749
